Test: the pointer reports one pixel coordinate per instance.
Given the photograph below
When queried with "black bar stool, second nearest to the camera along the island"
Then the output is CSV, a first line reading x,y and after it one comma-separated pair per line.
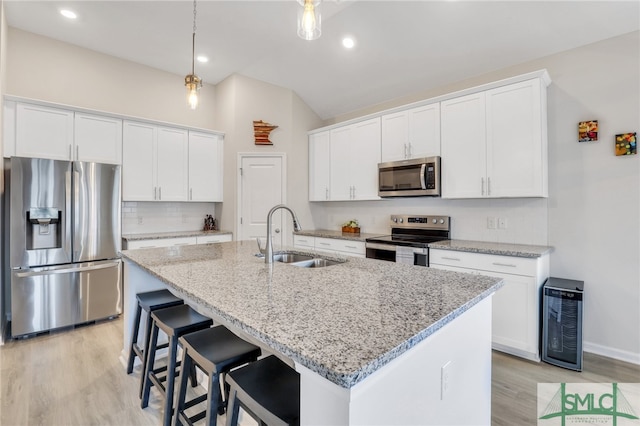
x,y
215,351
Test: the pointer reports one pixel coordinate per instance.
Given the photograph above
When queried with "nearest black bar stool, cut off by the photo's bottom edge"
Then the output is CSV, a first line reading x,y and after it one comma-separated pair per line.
x,y
268,389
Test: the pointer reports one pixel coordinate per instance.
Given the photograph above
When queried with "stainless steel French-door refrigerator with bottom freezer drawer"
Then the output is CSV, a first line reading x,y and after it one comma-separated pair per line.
x,y
64,239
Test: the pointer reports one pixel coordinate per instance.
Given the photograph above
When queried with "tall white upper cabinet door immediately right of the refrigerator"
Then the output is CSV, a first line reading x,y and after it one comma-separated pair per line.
x,y
138,162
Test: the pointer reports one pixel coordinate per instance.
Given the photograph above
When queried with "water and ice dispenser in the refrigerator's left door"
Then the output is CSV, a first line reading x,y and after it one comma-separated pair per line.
x,y
44,230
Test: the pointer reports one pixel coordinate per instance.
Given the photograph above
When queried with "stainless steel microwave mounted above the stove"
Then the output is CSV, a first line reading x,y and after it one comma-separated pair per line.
x,y
417,177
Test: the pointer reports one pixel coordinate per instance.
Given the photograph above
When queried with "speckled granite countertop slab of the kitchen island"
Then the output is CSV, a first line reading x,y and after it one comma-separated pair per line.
x,y
343,321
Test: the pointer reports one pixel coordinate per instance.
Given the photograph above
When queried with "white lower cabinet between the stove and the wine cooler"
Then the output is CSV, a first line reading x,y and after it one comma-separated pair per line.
x,y
516,306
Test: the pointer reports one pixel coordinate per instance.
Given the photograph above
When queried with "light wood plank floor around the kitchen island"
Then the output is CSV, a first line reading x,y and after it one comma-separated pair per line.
x,y
75,377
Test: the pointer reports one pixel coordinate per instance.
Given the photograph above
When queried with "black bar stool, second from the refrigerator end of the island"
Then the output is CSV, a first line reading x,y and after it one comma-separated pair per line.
x,y
174,322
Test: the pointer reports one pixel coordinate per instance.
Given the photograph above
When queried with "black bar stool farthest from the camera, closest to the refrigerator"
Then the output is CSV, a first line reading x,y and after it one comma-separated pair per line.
x,y
149,301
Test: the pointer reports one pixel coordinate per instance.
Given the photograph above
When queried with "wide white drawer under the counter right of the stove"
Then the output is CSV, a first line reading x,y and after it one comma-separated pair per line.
x,y
485,262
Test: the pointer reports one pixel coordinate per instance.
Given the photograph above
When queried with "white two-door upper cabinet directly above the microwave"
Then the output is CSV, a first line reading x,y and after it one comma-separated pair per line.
x,y
411,133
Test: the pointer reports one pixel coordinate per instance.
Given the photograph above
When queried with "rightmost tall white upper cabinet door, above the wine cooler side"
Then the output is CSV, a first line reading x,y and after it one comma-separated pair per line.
x,y
516,150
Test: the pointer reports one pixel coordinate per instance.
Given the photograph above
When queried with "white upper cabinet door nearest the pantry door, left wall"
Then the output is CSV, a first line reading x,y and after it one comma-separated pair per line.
x,y
205,167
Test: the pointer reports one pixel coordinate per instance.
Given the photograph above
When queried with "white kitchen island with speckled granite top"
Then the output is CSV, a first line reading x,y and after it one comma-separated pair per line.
x,y
374,342
